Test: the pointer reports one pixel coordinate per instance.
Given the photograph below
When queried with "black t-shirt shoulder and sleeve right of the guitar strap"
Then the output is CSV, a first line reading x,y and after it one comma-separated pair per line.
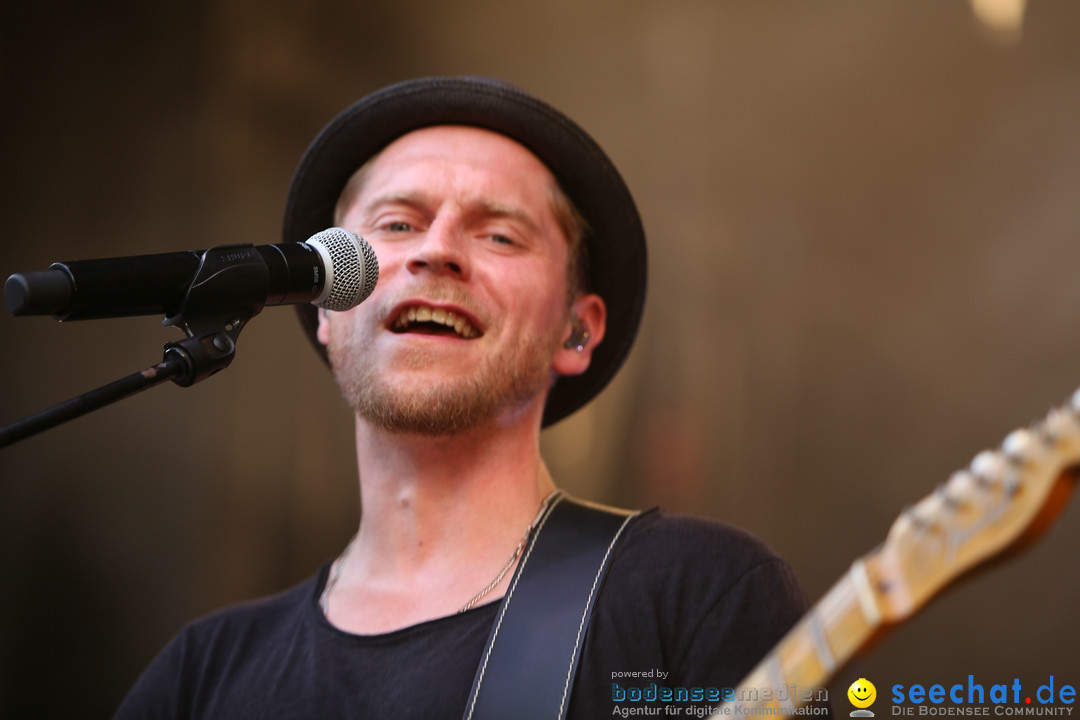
x,y
697,600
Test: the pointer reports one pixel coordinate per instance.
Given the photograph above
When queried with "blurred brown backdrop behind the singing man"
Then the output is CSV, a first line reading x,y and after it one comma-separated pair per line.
x,y
865,221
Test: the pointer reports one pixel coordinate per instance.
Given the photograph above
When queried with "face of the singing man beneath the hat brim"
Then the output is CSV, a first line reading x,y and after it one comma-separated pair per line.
x,y
470,311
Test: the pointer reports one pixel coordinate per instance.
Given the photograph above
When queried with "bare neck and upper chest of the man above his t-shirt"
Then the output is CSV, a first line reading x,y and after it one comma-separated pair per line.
x,y
441,518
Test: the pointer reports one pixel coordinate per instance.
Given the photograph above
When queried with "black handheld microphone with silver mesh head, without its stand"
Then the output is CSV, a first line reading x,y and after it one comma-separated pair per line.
x,y
334,269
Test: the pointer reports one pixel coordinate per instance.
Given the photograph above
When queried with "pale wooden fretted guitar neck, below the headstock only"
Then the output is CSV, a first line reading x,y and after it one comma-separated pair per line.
x,y
827,637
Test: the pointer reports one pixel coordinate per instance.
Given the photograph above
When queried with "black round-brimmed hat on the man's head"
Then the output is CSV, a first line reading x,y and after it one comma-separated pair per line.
x,y
616,241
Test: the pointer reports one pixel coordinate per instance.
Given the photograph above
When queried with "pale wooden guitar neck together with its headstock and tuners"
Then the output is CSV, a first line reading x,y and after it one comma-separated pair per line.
x,y
1004,499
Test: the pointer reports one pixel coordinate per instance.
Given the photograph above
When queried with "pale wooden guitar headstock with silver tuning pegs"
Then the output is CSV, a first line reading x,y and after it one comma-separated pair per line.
x,y
1003,500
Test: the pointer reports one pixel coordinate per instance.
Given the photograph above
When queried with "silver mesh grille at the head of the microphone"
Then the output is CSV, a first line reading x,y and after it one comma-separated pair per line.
x,y
352,268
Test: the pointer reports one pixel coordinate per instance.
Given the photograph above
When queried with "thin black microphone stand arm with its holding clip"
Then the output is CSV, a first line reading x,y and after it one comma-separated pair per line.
x,y
215,308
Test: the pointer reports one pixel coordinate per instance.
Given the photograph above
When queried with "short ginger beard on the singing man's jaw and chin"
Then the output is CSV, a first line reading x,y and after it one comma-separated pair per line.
x,y
502,383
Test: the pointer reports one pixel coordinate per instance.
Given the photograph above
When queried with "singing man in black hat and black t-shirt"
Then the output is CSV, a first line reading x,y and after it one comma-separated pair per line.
x,y
512,282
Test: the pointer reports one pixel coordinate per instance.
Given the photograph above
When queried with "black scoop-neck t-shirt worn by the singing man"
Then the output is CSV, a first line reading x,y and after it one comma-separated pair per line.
x,y
695,601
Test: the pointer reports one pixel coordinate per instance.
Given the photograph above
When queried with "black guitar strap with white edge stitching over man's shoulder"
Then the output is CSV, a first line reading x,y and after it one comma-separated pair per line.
x,y
528,670
